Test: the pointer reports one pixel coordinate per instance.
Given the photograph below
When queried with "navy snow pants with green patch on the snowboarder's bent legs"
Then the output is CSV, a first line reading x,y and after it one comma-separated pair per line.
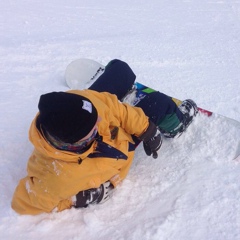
x,y
118,78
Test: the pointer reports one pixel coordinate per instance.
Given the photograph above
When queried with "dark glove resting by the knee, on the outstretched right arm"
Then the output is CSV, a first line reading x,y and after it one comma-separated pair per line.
x,y
152,140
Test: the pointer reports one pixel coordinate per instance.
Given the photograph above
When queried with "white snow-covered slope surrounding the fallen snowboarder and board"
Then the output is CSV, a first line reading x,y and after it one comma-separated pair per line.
x,y
184,48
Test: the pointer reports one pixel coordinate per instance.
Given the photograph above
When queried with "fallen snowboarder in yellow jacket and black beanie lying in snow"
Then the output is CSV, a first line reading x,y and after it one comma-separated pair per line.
x,y
84,141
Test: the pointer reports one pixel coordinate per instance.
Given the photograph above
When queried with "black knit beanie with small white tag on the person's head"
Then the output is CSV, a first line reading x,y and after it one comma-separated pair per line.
x,y
69,117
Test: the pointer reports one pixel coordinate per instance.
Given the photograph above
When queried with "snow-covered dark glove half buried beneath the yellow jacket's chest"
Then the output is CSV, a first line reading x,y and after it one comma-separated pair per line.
x,y
94,195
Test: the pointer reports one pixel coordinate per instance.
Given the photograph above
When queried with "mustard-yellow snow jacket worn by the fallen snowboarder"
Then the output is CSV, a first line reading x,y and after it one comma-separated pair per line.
x,y
55,176
